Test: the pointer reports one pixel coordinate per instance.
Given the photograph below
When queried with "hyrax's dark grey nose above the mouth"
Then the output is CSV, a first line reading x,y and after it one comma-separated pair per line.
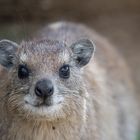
x,y
44,88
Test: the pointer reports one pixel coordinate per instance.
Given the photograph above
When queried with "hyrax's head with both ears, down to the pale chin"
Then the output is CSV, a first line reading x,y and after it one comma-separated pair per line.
x,y
45,80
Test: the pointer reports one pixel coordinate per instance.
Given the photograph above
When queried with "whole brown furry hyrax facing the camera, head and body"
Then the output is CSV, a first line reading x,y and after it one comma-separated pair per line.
x,y
57,90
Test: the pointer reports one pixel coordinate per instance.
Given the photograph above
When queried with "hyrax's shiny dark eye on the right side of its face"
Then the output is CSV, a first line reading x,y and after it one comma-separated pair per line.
x,y
64,72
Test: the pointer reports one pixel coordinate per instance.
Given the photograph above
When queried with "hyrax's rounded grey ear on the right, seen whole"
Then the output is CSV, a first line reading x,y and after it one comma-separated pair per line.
x,y
83,51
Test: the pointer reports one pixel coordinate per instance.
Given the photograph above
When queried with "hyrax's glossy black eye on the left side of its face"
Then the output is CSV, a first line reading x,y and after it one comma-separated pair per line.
x,y
23,72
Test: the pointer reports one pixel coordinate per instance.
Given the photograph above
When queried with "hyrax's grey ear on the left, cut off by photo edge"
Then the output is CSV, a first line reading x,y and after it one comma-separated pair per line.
x,y
7,52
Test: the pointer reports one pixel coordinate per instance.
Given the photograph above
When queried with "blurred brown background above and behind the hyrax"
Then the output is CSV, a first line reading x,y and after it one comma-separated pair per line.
x,y
117,20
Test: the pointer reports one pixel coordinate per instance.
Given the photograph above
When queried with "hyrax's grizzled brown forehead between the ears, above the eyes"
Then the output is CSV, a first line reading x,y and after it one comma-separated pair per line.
x,y
45,54
